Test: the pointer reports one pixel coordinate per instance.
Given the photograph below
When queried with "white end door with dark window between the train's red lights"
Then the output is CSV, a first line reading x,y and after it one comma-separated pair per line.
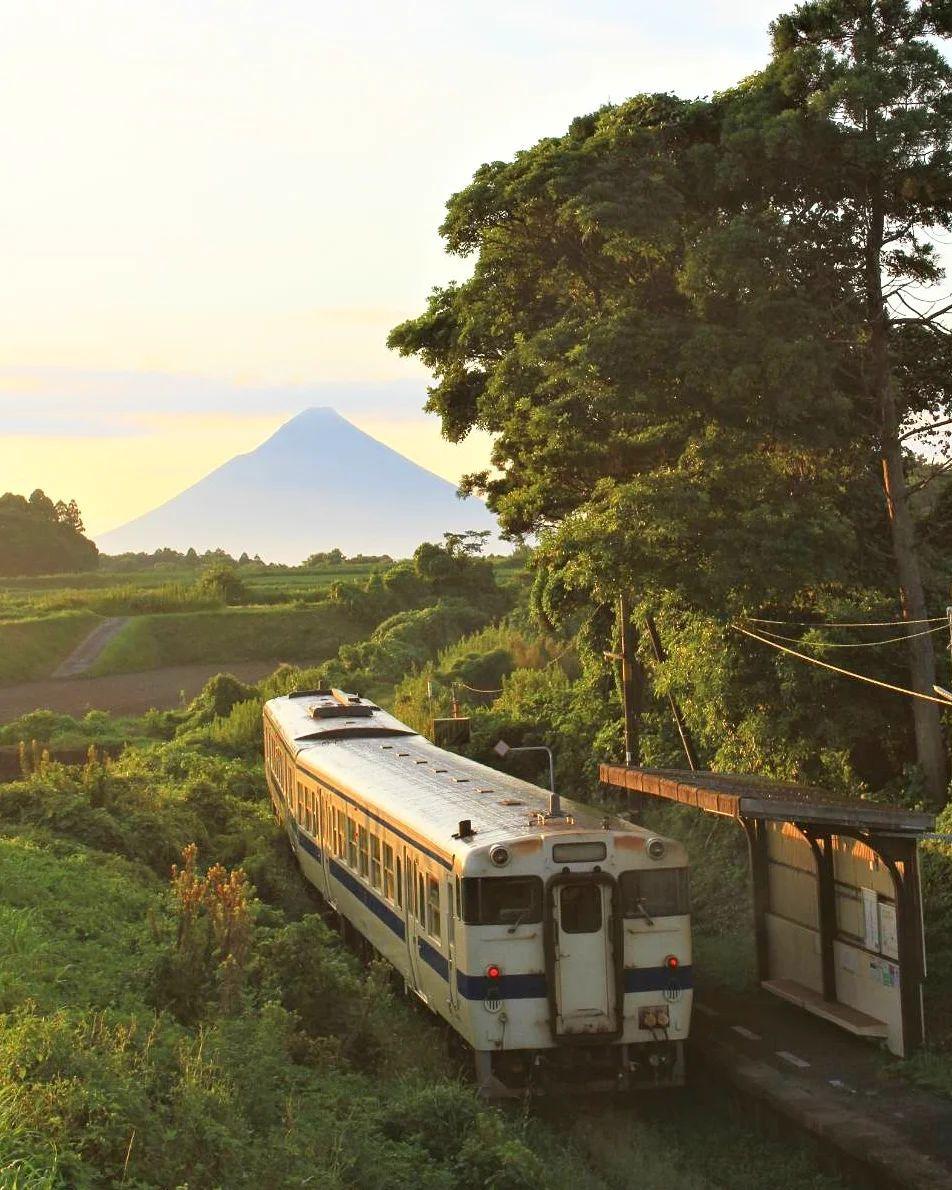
x,y
584,956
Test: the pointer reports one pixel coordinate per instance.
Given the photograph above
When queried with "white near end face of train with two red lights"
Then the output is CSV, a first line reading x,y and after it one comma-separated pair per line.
x,y
578,951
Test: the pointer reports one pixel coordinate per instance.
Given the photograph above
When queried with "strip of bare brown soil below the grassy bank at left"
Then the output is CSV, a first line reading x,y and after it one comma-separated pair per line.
x,y
123,694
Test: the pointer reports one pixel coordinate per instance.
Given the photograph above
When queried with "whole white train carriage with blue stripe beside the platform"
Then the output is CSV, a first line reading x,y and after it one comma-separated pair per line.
x,y
553,938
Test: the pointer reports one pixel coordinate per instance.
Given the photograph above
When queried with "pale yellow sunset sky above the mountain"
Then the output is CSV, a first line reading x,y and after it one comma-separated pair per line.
x,y
212,214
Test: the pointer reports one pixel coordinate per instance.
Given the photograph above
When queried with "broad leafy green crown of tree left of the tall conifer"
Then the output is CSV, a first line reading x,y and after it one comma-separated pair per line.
x,y
694,425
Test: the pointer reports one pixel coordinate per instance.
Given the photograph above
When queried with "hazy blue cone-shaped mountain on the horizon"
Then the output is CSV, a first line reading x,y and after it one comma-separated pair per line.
x,y
317,484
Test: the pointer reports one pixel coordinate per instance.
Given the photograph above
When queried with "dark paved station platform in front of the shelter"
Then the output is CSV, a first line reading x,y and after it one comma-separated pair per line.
x,y
843,1089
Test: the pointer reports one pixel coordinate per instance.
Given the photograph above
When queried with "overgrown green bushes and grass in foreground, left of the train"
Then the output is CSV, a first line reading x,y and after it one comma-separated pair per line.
x,y
214,1031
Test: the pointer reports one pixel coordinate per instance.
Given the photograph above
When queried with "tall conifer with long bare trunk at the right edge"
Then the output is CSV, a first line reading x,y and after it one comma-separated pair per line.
x,y
856,156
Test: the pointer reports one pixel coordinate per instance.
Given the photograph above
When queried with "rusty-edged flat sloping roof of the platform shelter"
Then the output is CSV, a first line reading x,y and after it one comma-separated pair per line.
x,y
742,796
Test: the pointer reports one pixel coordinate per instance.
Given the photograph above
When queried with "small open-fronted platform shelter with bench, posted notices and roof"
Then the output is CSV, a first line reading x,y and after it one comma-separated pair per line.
x,y
837,904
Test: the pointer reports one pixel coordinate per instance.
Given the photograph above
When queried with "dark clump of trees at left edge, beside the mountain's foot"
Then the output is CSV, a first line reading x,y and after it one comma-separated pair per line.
x,y
39,537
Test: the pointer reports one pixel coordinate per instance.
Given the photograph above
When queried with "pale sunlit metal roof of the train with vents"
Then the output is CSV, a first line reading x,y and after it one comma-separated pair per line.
x,y
372,755
